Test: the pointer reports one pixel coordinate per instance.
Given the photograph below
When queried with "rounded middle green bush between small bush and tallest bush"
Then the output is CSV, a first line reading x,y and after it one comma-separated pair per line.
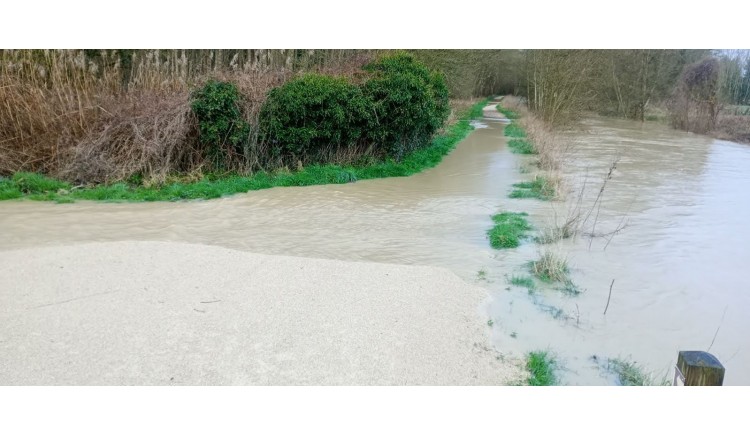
x,y
313,112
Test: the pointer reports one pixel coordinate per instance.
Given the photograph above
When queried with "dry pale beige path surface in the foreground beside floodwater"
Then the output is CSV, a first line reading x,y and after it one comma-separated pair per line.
x,y
155,313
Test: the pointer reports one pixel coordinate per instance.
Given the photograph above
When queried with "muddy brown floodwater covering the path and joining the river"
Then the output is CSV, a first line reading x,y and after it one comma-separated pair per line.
x,y
678,265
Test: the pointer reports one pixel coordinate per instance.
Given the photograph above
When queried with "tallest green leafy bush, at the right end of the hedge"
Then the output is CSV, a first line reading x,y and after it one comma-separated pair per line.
x,y
410,102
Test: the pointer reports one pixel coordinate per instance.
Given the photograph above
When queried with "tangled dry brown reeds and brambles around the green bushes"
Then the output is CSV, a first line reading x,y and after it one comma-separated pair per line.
x,y
107,115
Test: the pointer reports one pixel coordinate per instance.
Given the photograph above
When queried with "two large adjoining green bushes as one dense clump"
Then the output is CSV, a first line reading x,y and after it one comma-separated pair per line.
x,y
395,110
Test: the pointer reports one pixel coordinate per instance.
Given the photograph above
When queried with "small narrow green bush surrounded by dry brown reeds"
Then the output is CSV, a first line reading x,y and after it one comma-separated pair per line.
x,y
221,125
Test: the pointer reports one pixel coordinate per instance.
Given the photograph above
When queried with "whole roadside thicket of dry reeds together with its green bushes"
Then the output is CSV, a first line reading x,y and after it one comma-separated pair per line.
x,y
90,116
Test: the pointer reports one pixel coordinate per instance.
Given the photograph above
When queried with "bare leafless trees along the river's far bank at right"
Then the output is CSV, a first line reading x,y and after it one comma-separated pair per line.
x,y
704,91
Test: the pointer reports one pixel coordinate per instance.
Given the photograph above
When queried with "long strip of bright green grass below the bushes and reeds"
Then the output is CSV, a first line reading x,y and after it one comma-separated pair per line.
x,y
40,188
